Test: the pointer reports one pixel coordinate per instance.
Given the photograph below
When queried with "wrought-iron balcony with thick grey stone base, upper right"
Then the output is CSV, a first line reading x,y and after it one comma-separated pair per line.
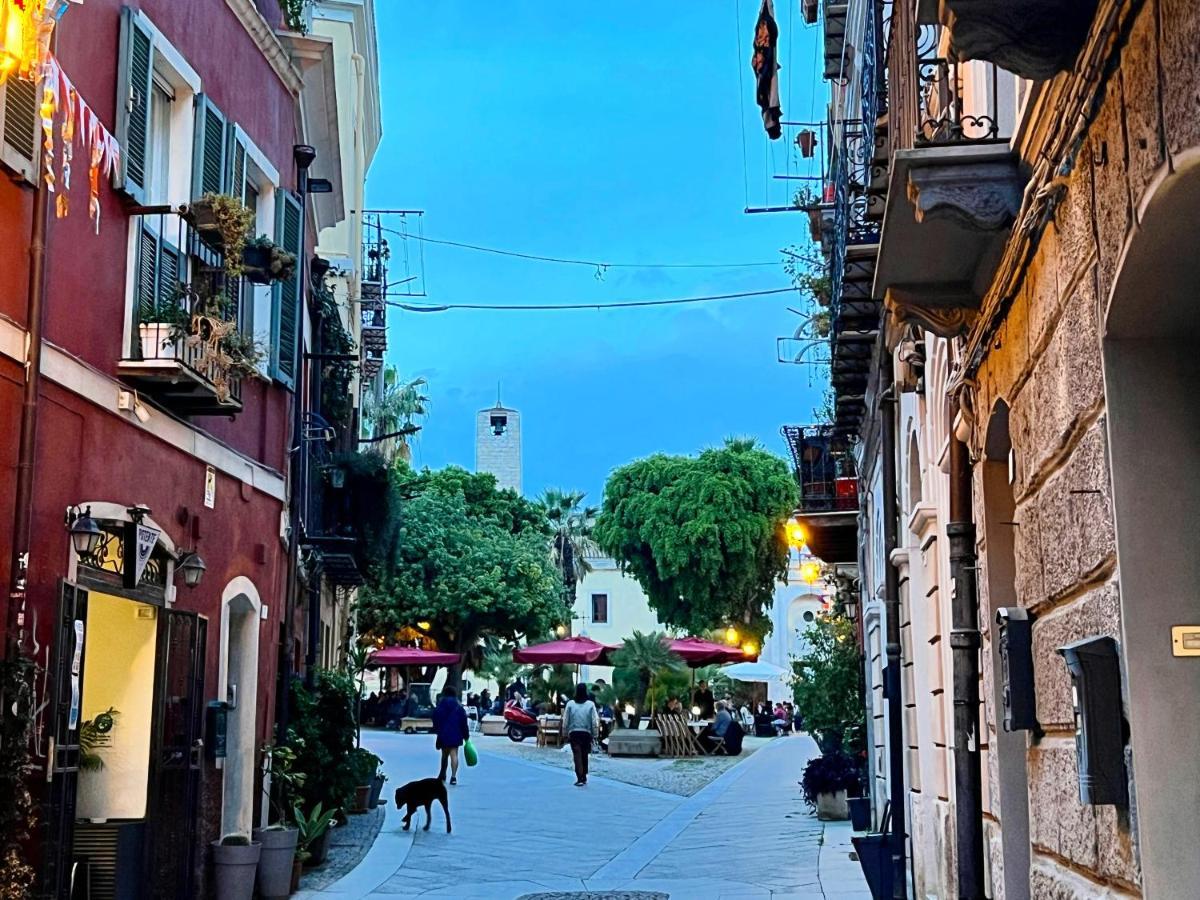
x,y
955,187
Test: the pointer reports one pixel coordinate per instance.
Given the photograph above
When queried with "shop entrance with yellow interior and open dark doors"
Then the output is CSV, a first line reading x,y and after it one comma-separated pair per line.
x,y
128,749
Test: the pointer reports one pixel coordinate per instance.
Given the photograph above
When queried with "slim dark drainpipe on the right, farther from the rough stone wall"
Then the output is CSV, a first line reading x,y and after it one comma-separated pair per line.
x,y
893,681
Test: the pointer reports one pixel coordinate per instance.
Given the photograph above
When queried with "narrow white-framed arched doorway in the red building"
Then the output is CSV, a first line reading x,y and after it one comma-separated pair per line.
x,y
241,616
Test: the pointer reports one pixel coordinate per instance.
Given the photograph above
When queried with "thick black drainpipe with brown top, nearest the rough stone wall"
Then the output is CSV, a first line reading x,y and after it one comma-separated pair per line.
x,y
965,655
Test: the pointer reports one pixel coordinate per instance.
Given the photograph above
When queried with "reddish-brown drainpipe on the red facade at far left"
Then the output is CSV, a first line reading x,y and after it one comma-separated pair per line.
x,y
27,458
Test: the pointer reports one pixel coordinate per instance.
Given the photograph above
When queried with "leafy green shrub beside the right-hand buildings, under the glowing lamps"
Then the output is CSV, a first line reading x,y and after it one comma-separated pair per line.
x,y
829,682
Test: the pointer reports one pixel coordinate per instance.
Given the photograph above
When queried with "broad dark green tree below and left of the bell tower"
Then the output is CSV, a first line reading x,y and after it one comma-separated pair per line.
x,y
470,560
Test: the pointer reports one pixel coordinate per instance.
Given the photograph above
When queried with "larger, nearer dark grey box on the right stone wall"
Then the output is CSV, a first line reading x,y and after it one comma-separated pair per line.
x,y
1095,670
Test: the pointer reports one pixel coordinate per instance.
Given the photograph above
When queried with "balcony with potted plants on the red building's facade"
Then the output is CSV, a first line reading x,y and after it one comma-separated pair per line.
x,y
185,350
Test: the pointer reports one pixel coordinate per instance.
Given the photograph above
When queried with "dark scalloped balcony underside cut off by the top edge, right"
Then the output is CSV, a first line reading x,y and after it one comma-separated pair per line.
x,y
1034,39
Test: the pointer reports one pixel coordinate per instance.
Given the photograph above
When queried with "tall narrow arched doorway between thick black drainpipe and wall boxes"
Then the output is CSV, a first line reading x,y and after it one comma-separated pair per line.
x,y
1011,748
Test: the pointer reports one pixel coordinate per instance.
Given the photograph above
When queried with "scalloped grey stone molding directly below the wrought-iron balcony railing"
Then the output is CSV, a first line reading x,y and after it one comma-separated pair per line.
x,y
982,197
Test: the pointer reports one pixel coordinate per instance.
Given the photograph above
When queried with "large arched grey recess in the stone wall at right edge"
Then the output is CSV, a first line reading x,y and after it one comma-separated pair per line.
x,y
1151,371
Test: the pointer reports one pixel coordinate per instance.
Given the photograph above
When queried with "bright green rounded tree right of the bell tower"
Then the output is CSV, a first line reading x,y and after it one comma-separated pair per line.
x,y
703,536
